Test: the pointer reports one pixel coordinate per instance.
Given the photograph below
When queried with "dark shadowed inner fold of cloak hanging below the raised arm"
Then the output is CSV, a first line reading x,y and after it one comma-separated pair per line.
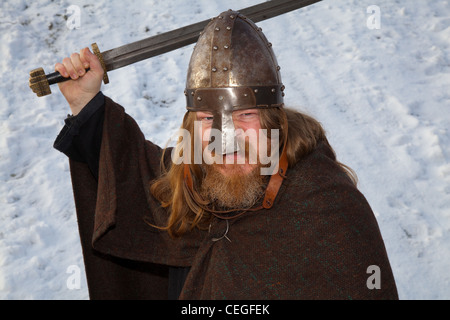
x,y
108,277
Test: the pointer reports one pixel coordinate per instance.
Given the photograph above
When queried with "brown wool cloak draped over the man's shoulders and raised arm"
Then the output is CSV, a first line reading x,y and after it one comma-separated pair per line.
x,y
316,242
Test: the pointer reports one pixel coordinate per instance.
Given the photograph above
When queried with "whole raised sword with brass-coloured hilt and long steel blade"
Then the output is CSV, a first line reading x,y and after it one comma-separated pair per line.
x,y
140,50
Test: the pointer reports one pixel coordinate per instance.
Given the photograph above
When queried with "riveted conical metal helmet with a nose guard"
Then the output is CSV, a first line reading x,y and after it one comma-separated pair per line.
x,y
232,68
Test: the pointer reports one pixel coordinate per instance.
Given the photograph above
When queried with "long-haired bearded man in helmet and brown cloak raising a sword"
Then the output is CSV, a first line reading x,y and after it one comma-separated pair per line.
x,y
266,215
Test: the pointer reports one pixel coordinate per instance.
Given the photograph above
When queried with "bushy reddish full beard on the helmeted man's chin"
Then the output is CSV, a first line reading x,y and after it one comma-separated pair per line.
x,y
238,189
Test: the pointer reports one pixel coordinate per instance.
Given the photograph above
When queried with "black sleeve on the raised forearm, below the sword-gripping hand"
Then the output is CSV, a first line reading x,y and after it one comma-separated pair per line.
x,y
81,137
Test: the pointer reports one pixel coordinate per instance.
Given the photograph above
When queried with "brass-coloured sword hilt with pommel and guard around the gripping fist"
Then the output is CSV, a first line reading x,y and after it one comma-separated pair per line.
x,y
40,83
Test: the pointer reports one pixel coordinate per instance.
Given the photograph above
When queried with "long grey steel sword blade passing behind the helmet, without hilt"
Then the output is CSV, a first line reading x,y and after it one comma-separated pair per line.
x,y
143,49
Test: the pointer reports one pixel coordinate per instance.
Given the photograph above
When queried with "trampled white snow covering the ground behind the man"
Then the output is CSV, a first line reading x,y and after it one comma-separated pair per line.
x,y
382,95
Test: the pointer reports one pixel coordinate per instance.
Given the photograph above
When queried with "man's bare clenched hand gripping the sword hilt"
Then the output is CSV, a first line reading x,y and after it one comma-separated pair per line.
x,y
84,84
